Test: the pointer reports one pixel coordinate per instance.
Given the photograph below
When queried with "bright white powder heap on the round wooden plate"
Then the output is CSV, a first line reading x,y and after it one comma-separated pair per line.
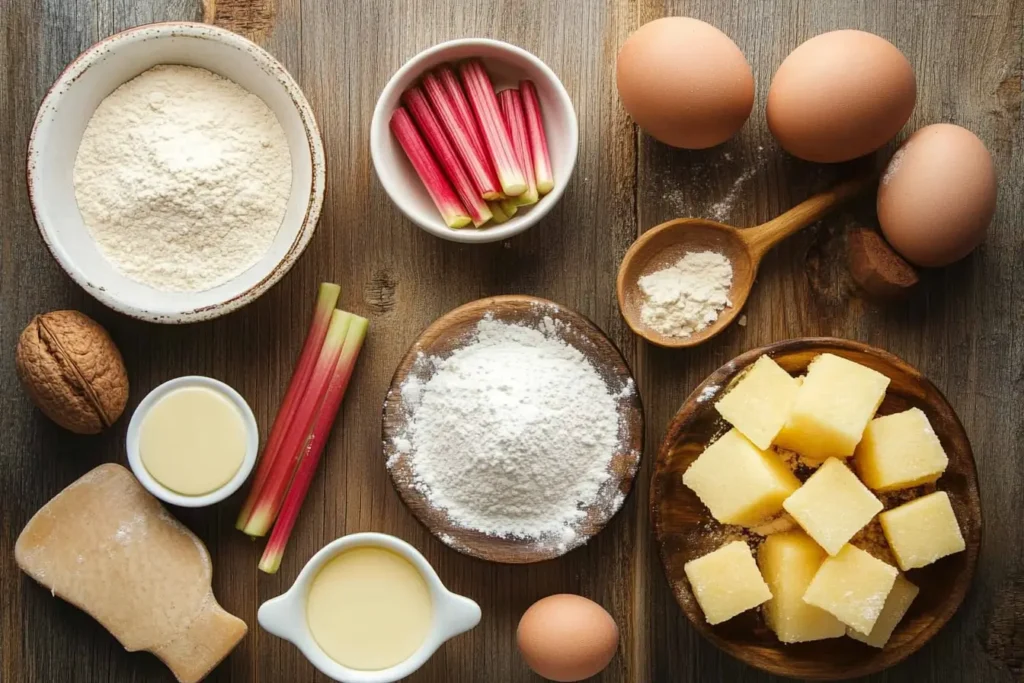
x,y
514,434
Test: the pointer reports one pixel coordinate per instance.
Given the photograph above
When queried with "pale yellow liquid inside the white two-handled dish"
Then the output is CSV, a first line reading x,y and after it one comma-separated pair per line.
x,y
369,609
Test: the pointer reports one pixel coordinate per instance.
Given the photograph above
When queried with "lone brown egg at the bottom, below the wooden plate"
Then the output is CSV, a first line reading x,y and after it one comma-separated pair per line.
x,y
568,638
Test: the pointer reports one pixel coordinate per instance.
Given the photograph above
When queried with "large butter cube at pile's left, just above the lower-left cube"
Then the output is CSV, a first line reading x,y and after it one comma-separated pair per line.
x,y
740,483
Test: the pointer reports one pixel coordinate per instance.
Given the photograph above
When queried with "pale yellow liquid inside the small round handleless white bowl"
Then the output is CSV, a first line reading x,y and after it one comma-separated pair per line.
x,y
193,441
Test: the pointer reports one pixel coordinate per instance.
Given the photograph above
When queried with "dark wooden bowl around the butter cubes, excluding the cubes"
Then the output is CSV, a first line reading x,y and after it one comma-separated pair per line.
x,y
686,530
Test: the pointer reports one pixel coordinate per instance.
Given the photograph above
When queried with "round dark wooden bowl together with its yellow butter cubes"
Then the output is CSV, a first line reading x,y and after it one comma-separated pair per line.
x,y
816,504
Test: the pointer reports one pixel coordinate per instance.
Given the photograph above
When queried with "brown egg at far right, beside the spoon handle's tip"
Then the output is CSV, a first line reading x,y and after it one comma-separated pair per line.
x,y
937,196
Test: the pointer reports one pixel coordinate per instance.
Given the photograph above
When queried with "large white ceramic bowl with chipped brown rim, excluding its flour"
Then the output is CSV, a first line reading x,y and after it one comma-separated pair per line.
x,y
66,112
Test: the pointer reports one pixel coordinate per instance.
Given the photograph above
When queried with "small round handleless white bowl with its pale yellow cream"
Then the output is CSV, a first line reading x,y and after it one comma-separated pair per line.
x,y
193,442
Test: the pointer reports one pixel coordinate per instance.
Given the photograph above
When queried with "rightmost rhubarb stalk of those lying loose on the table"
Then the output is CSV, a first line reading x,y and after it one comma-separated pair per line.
x,y
315,445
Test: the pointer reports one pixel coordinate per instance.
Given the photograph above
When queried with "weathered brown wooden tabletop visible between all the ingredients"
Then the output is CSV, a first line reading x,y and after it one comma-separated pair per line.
x,y
962,327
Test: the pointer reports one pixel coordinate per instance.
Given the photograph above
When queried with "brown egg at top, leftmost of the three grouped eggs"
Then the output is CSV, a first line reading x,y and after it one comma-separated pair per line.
x,y
685,82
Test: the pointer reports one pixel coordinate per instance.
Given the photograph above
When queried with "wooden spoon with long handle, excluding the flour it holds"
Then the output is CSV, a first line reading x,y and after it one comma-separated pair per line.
x,y
666,244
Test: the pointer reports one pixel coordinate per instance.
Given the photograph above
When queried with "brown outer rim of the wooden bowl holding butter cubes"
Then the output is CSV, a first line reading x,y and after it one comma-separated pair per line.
x,y
698,401
